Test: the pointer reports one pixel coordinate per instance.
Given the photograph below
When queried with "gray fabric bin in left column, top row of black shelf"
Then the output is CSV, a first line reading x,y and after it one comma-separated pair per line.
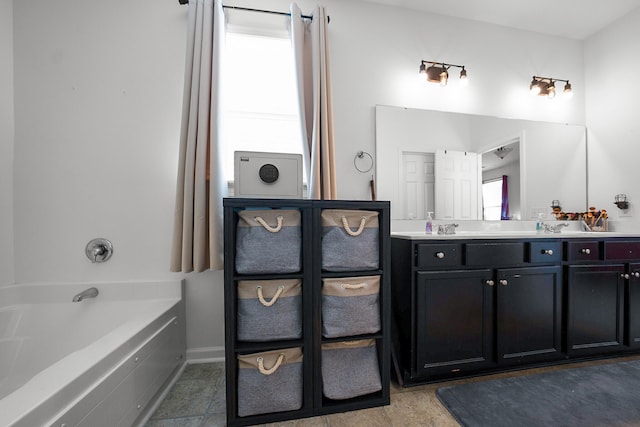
x,y
268,241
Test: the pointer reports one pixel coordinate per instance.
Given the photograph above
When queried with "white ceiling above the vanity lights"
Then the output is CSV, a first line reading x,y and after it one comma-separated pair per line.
x,y
575,19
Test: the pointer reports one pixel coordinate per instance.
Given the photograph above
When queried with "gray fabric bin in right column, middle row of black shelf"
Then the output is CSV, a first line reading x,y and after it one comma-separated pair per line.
x,y
350,306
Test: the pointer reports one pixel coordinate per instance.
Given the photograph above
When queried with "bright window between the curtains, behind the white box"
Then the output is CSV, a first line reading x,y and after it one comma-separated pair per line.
x,y
259,103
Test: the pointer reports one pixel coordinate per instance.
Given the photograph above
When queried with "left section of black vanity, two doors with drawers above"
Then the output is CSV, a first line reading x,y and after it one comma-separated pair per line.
x,y
465,315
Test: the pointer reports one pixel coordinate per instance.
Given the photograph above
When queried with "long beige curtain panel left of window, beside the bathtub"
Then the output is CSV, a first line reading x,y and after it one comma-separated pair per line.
x,y
197,236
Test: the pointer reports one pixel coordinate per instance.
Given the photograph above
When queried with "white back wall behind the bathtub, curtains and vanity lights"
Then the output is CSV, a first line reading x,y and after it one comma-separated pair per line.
x,y
98,90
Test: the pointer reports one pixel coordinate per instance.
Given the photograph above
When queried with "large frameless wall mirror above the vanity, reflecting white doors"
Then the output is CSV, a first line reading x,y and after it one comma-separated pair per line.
x,y
544,162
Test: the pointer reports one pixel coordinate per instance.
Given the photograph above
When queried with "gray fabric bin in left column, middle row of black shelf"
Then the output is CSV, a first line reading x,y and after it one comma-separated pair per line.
x,y
269,310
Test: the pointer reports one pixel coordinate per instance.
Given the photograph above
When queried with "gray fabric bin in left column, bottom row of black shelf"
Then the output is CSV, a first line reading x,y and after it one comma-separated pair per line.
x,y
270,381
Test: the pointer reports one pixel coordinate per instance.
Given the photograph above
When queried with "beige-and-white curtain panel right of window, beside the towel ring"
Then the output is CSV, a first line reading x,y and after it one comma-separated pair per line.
x,y
311,53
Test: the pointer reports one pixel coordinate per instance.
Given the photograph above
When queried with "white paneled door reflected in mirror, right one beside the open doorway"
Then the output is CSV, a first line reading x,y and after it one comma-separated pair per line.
x,y
457,185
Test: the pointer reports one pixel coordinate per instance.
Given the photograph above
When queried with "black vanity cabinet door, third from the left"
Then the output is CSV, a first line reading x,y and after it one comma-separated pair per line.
x,y
595,309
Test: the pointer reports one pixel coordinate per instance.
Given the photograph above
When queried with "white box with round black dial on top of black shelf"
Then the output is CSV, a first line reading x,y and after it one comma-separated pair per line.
x,y
269,175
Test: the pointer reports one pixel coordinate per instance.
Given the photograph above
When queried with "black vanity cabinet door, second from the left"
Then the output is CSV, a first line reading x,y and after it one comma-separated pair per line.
x,y
528,316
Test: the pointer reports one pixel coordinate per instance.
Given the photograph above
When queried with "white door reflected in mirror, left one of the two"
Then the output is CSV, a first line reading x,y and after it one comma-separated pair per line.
x,y
417,184
